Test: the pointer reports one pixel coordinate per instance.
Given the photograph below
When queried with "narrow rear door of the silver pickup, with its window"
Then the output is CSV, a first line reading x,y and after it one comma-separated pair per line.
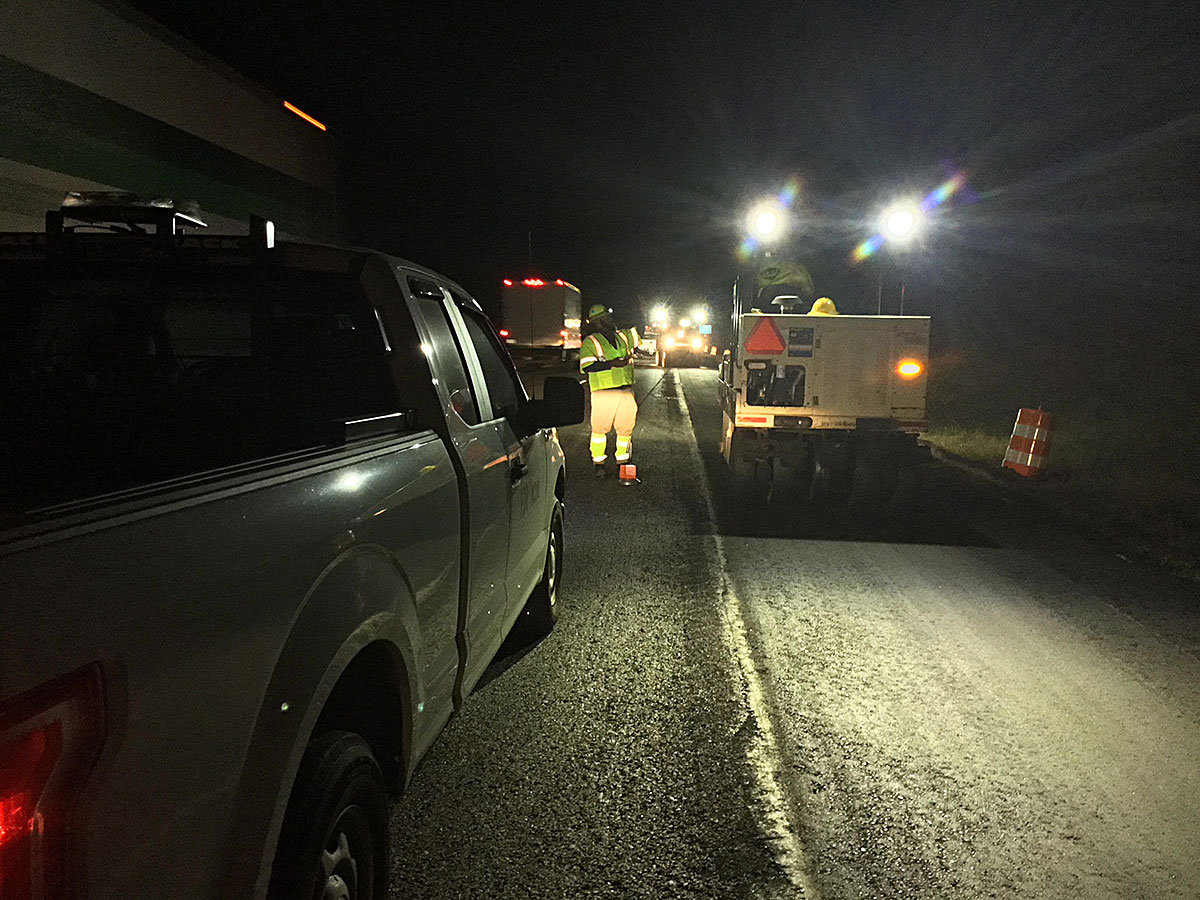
x,y
484,457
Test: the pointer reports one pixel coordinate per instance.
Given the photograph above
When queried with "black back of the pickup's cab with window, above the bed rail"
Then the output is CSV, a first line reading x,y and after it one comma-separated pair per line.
x,y
116,377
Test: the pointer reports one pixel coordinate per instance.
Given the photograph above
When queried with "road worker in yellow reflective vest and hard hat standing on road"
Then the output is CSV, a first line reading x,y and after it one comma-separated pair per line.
x,y
607,358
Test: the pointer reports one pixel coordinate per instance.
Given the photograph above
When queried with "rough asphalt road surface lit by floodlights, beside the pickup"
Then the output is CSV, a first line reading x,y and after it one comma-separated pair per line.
x,y
746,700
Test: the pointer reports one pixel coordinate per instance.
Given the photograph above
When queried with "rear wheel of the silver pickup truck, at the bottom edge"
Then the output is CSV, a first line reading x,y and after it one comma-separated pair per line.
x,y
334,842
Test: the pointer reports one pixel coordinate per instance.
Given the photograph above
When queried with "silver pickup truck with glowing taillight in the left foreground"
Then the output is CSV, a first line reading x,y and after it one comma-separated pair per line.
x,y
268,513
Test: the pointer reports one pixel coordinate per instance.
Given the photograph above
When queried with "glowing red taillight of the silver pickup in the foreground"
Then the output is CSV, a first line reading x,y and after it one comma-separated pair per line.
x,y
50,739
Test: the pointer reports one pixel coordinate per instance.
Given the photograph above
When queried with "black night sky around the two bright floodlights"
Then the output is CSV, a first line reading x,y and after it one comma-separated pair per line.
x,y
631,140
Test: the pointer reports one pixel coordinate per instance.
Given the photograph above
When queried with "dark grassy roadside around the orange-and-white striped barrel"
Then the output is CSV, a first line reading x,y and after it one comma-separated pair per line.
x,y
1125,459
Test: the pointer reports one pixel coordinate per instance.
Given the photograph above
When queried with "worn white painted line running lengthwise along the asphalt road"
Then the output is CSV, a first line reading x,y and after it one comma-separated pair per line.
x,y
764,752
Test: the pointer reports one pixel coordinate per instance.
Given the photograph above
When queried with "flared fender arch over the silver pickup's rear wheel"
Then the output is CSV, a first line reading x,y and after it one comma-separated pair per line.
x,y
362,598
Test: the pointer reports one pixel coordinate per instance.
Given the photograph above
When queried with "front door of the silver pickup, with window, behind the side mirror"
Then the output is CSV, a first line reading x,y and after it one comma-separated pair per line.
x,y
530,493
